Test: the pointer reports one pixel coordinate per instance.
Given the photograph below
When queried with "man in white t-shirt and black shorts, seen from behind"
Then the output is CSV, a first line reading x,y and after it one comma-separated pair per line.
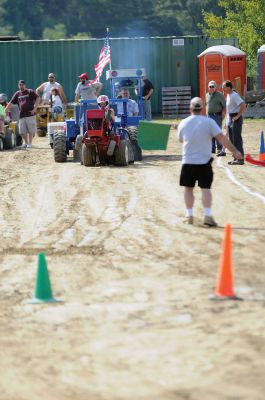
x,y
196,133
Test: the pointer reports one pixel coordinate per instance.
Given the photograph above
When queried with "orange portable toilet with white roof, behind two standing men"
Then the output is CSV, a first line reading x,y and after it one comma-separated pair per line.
x,y
220,63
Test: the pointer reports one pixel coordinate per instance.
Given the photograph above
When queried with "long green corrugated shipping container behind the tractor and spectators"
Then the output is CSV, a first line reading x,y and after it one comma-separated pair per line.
x,y
169,61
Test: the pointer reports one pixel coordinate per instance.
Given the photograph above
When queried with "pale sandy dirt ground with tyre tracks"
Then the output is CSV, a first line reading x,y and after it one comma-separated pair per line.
x,y
136,321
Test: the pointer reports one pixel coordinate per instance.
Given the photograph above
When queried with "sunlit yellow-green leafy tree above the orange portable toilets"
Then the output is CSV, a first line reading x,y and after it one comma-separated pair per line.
x,y
244,20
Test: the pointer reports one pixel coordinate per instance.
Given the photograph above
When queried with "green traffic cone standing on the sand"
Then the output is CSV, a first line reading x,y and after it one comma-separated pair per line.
x,y
43,290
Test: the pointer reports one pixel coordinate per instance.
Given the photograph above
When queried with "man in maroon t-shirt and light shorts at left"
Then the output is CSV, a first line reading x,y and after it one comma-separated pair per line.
x,y
27,101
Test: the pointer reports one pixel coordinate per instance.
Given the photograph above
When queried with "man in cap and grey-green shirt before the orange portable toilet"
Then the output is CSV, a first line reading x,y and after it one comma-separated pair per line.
x,y
216,109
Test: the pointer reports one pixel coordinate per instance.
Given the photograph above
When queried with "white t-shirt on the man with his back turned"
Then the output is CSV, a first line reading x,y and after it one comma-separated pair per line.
x,y
196,133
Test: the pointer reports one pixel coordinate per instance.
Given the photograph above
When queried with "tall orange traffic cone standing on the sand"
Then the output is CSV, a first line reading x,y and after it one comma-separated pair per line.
x,y
225,284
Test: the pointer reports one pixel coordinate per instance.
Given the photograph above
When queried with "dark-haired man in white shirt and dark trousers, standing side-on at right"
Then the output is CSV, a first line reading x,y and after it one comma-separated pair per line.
x,y
235,107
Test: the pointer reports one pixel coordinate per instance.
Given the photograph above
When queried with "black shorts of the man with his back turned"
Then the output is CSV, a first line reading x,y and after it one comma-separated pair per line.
x,y
203,173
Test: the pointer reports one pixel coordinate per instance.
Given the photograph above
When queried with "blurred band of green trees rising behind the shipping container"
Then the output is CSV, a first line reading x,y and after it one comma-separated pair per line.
x,y
60,19
